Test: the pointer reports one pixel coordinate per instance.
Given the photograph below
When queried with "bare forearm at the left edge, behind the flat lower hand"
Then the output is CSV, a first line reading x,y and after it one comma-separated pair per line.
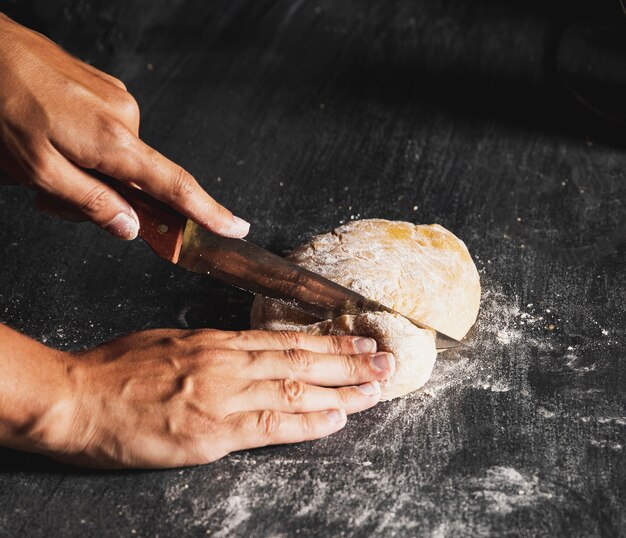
x,y
35,394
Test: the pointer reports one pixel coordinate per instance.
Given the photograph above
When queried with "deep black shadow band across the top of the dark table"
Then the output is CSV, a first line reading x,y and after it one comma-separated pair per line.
x,y
552,66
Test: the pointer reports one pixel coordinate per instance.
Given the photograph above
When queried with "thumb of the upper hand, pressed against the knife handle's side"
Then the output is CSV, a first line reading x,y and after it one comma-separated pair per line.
x,y
89,197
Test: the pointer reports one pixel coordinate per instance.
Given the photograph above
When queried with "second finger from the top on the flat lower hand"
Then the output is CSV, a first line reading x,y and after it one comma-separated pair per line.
x,y
317,368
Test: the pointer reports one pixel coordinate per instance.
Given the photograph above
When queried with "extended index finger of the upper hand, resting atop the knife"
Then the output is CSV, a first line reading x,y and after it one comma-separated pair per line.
x,y
133,161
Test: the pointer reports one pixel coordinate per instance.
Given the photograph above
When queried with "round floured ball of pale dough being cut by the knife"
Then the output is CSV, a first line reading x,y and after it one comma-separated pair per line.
x,y
422,271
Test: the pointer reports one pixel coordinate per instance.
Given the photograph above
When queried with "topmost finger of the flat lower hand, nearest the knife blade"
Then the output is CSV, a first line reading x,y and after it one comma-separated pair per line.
x,y
282,340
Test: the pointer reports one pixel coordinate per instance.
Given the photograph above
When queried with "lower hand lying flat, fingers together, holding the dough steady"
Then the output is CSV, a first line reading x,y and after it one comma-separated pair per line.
x,y
168,398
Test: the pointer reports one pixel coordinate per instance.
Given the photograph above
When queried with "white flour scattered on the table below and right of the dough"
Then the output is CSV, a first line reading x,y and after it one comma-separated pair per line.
x,y
384,475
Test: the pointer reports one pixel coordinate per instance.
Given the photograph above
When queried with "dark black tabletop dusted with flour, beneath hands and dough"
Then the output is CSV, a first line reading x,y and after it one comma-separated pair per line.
x,y
301,115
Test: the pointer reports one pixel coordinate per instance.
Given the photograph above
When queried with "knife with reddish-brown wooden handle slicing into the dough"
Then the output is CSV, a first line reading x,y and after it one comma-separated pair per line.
x,y
247,266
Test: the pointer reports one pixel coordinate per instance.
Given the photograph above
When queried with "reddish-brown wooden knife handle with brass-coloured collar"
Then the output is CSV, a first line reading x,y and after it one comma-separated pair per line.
x,y
159,225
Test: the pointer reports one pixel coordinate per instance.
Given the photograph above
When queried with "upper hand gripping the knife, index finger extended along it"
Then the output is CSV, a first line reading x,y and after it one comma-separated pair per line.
x,y
61,118
